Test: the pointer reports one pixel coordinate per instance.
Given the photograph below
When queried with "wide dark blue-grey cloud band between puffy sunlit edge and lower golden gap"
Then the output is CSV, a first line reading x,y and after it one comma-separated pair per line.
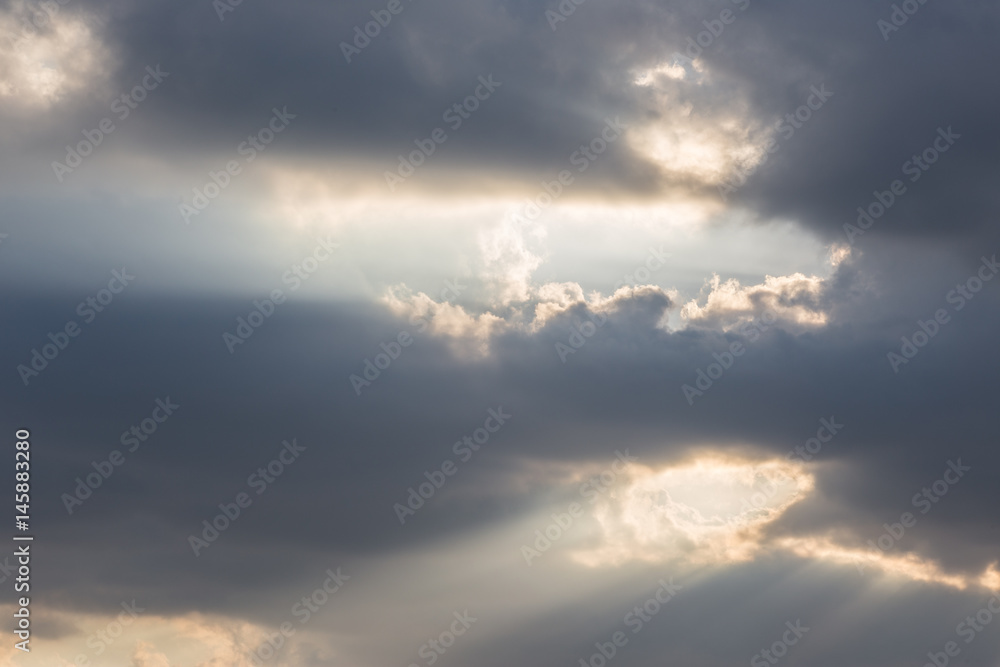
x,y
621,389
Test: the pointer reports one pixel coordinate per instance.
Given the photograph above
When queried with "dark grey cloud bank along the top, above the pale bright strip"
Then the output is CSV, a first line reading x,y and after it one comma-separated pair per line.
x,y
557,86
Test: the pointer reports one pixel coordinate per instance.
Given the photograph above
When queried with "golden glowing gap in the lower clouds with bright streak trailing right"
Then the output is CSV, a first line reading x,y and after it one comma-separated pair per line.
x,y
715,510
